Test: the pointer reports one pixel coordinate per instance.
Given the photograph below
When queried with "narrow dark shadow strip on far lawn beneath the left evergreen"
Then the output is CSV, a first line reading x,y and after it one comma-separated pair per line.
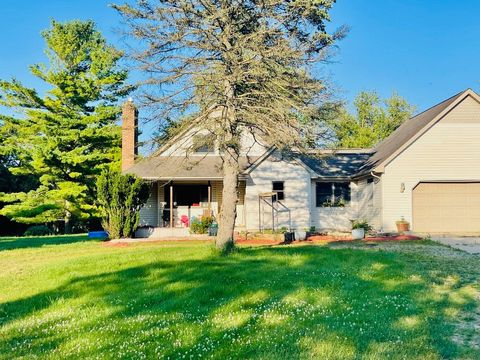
x,y
12,243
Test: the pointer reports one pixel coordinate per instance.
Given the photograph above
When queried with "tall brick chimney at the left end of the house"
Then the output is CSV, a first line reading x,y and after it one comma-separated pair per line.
x,y
129,134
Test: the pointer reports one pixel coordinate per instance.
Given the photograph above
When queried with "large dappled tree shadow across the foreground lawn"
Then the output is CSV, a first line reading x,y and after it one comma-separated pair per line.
x,y
262,302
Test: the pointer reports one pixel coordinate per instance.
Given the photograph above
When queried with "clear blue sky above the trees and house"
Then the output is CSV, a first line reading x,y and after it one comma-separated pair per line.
x,y
426,50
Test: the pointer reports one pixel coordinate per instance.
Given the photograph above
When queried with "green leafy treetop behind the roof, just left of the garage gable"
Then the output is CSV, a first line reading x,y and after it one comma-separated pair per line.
x,y
373,120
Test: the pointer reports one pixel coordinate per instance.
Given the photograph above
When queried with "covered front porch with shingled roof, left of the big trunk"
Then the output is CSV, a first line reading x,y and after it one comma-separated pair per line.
x,y
183,188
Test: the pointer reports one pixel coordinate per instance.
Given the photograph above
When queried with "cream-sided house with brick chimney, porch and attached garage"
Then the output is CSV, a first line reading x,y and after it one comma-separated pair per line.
x,y
427,172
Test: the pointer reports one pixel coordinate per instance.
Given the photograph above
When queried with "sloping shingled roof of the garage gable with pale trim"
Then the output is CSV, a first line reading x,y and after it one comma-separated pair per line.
x,y
411,130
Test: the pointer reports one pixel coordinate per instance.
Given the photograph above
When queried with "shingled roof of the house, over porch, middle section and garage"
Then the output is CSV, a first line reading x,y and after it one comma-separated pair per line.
x,y
340,164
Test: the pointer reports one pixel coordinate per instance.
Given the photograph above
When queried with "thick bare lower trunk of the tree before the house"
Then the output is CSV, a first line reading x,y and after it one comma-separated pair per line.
x,y
228,211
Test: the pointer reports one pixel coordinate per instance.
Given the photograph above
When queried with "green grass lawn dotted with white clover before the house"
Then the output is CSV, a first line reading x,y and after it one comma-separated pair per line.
x,y
65,297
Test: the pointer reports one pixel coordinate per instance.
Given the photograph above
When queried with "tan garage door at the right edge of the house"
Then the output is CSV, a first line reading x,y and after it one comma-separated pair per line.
x,y
446,208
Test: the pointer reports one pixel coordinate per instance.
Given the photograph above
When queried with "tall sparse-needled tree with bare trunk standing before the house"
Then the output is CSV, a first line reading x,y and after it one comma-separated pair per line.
x,y
241,65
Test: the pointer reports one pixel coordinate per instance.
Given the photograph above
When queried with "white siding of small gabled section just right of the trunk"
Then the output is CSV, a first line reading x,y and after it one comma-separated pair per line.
x,y
297,193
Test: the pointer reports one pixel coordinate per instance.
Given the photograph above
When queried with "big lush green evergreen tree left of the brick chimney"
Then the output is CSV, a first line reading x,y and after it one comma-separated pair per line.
x,y
68,135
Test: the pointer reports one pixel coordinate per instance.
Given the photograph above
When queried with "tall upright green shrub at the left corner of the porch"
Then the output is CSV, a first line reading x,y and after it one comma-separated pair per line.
x,y
120,198
